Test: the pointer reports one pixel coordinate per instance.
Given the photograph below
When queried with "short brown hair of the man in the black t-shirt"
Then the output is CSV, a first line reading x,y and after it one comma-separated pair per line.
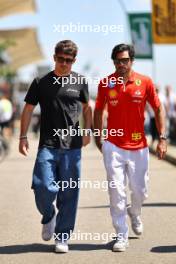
x,y
67,47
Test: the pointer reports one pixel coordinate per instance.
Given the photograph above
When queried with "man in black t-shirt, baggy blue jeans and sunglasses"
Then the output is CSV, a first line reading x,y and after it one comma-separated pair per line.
x,y
62,95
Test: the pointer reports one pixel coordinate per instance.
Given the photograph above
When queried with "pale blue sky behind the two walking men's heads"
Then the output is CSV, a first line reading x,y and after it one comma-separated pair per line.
x,y
94,48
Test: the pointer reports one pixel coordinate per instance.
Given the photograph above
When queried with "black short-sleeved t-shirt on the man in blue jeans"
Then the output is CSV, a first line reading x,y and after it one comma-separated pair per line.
x,y
60,105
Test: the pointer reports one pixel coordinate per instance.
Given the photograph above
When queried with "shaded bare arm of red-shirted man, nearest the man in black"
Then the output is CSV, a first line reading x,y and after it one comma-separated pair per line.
x,y
98,124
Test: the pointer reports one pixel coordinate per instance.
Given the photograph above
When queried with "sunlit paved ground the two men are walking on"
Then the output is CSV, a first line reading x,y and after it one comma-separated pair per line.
x,y
20,228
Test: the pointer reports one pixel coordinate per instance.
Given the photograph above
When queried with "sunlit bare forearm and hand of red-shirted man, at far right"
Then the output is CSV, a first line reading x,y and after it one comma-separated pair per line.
x,y
161,127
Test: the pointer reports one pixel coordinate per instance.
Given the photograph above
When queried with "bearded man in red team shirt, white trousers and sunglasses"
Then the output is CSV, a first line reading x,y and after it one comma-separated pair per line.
x,y
126,153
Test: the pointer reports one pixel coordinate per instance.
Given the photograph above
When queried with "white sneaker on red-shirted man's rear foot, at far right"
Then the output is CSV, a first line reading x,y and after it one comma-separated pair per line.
x,y
136,223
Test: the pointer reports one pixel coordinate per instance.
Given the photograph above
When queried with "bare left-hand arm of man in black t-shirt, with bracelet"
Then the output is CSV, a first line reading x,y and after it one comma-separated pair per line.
x,y
25,121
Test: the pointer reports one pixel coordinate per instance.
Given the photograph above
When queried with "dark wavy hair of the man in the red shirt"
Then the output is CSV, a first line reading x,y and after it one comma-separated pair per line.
x,y
123,47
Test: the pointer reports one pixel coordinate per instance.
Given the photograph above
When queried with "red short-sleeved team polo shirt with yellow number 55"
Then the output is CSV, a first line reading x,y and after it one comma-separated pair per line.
x,y
125,106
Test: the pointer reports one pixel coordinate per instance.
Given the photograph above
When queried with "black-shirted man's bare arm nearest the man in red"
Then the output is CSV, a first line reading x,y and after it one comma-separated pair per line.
x,y
87,118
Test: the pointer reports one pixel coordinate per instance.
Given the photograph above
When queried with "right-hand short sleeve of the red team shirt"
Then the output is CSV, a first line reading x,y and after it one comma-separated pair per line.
x,y
152,96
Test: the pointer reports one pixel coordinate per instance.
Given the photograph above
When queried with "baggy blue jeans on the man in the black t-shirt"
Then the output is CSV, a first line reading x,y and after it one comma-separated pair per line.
x,y
52,168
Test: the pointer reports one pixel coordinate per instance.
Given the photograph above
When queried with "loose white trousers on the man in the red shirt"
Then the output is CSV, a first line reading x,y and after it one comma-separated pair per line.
x,y
120,164
